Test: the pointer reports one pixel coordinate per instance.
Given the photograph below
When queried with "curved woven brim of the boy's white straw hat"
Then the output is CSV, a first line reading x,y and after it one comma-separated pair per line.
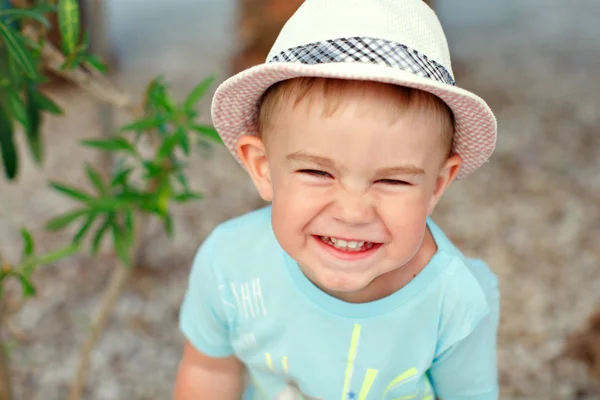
x,y
234,107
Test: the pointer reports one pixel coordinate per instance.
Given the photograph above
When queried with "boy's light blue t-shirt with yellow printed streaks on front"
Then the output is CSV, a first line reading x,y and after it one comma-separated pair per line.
x,y
435,337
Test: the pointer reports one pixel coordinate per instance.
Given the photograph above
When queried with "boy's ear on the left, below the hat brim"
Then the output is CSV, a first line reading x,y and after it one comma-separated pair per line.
x,y
252,152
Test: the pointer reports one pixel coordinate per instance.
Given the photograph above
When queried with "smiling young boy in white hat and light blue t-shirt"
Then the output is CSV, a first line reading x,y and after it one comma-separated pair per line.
x,y
344,287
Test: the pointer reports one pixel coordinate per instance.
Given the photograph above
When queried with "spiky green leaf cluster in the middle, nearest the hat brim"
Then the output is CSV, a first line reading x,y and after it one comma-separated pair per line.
x,y
139,184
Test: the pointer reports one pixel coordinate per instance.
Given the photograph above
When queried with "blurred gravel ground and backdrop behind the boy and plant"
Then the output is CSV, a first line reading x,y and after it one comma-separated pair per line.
x,y
532,212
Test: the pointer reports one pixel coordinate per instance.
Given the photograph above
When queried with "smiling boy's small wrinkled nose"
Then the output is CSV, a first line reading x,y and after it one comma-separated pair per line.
x,y
353,207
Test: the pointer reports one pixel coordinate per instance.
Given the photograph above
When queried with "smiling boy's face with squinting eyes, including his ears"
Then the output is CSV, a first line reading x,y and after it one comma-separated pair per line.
x,y
350,192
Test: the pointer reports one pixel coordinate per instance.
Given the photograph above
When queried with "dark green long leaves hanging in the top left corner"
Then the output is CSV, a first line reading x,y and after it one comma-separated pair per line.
x,y
21,74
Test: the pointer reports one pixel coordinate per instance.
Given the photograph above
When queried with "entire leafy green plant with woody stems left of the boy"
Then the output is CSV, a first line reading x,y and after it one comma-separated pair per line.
x,y
148,155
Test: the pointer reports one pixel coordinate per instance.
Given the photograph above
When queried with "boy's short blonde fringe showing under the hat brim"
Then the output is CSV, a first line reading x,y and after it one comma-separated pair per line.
x,y
332,90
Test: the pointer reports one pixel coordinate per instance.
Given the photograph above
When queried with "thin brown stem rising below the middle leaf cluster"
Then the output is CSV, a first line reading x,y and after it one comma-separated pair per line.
x,y
119,278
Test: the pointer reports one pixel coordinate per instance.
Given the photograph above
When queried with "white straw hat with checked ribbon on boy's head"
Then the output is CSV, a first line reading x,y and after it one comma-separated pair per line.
x,y
399,42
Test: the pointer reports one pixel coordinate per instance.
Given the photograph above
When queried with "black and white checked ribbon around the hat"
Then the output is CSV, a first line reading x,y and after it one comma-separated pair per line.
x,y
367,50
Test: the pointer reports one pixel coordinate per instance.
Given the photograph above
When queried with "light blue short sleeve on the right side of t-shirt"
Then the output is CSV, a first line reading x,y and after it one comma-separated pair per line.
x,y
467,368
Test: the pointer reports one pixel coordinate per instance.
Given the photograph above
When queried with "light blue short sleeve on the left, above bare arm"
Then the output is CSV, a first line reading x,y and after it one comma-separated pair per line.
x,y
202,318
